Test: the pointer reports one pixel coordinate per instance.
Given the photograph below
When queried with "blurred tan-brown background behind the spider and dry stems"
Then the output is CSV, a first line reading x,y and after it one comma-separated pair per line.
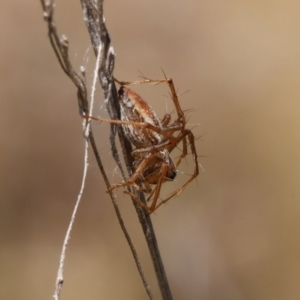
x,y
234,234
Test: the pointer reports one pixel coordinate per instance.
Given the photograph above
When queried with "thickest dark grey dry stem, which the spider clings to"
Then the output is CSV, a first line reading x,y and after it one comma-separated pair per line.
x,y
94,19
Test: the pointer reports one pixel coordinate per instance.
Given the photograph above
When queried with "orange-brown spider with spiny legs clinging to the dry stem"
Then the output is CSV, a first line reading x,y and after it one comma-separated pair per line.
x,y
154,140
